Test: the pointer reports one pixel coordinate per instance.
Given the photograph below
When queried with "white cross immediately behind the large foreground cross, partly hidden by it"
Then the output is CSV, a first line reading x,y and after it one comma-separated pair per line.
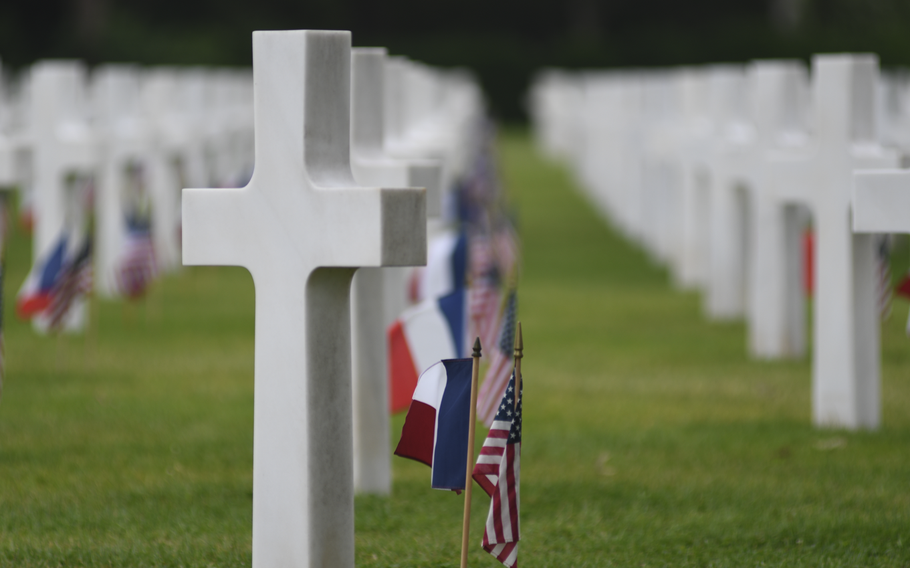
x,y
373,295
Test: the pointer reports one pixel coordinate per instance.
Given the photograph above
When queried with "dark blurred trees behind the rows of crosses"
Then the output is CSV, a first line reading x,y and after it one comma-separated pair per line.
x,y
502,41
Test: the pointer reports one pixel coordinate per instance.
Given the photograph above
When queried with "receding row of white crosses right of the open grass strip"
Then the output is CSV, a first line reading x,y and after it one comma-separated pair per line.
x,y
715,170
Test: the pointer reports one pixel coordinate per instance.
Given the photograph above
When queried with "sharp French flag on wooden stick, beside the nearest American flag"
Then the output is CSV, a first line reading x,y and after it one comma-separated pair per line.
x,y
435,430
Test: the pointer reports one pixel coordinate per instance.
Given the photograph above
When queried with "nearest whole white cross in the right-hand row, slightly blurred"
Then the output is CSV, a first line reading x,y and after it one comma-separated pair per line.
x,y
845,369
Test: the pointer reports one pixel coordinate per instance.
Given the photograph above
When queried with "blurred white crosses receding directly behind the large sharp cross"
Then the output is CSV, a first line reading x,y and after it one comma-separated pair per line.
x,y
436,116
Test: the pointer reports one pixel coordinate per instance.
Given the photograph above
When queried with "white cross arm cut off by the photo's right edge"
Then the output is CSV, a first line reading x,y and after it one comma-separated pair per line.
x,y
881,201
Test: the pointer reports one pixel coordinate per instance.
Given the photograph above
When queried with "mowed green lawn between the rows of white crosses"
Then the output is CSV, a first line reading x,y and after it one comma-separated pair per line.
x,y
650,438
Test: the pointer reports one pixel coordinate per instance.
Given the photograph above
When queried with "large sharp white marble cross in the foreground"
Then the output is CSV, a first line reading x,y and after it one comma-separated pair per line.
x,y
301,227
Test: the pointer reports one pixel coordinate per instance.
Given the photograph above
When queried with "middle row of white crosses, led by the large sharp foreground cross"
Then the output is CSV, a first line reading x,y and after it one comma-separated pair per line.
x,y
313,214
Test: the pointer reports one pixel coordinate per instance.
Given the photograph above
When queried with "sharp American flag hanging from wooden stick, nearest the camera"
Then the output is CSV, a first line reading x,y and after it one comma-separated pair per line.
x,y
498,472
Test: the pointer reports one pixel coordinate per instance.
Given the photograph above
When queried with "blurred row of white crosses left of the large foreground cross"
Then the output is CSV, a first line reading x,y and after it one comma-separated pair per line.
x,y
161,128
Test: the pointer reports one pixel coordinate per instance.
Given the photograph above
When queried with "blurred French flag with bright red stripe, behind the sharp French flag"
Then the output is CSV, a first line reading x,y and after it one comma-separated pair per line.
x,y
424,334
